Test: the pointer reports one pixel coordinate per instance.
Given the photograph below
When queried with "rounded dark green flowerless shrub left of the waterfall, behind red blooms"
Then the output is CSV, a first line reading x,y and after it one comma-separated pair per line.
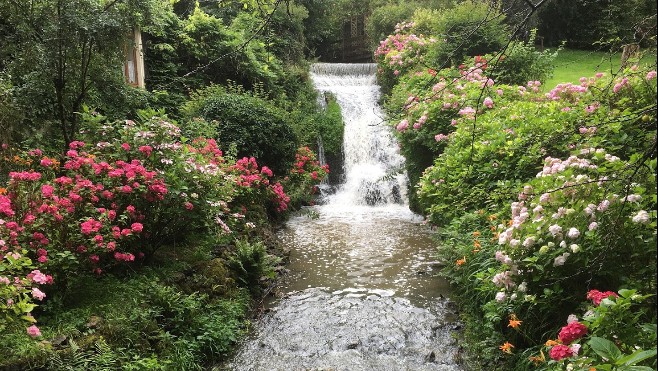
x,y
249,122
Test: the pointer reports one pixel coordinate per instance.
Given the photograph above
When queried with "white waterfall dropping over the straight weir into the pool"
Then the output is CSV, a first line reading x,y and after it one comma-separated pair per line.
x,y
373,164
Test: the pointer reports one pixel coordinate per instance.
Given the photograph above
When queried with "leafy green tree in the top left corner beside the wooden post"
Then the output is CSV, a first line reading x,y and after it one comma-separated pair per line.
x,y
61,54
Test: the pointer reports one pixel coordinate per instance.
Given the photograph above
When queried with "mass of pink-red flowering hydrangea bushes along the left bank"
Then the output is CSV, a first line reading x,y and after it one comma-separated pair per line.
x,y
107,204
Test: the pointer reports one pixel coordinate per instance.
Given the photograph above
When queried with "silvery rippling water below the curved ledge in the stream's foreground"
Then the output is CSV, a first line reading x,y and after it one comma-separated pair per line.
x,y
316,329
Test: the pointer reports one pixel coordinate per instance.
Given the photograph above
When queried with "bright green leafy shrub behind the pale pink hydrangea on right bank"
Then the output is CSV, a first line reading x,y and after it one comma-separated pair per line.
x,y
513,139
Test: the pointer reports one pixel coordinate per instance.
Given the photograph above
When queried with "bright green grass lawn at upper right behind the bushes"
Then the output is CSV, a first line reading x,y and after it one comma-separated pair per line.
x,y
571,65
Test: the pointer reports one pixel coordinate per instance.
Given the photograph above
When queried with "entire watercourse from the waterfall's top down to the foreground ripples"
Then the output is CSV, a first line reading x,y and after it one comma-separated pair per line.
x,y
362,291
